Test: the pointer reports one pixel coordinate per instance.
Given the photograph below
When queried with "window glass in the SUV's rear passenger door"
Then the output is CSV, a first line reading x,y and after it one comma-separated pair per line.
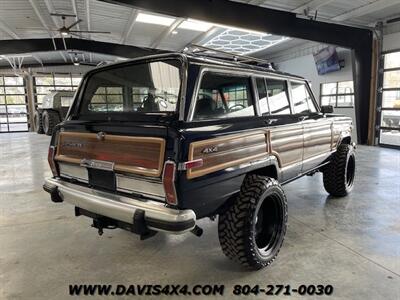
x,y
277,96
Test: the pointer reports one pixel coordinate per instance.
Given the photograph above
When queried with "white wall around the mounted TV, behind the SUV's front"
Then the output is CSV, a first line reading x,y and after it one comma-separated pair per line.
x,y
305,67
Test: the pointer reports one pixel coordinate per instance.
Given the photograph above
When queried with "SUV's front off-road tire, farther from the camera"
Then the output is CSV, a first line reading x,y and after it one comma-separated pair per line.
x,y
338,175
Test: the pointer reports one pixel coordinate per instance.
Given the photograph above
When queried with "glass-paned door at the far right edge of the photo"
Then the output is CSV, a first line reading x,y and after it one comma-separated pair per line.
x,y
389,110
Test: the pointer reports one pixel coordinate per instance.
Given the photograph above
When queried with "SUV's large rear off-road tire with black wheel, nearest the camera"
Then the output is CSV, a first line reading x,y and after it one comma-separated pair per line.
x,y
237,225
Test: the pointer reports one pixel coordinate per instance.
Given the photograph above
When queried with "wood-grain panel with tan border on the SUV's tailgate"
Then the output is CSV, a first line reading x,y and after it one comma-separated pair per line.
x,y
140,155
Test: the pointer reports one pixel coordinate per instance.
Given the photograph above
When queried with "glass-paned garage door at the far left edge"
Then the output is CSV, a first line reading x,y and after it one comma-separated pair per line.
x,y
13,104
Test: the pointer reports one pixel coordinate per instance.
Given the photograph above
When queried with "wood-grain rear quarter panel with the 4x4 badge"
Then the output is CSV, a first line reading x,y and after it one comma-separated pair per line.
x,y
230,151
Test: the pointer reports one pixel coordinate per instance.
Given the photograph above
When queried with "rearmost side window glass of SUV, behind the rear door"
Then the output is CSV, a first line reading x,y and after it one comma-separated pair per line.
x,y
223,96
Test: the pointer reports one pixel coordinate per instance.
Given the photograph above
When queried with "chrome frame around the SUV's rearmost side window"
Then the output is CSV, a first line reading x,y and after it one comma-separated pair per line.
x,y
235,73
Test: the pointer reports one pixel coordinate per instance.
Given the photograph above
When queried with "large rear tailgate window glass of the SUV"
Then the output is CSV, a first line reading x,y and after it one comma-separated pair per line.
x,y
151,87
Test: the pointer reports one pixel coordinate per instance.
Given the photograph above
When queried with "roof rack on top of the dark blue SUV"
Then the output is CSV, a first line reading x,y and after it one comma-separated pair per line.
x,y
214,53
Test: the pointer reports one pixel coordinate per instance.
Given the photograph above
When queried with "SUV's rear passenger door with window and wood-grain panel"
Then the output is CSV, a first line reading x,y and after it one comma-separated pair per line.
x,y
286,131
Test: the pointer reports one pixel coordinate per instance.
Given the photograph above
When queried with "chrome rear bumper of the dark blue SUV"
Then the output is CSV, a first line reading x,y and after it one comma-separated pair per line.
x,y
118,207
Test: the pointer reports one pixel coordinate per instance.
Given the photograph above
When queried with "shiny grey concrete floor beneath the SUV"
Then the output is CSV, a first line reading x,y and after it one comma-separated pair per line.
x,y
352,243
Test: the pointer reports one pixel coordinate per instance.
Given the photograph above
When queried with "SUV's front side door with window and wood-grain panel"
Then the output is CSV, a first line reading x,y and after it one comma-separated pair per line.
x,y
317,134
